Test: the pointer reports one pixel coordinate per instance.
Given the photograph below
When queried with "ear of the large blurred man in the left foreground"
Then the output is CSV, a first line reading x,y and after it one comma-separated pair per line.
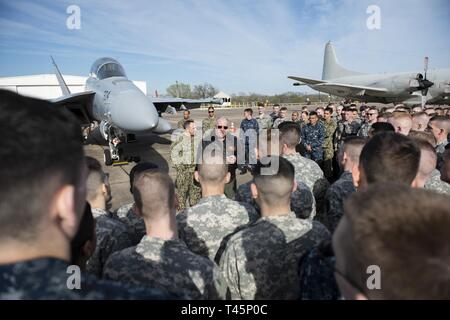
x,y
63,211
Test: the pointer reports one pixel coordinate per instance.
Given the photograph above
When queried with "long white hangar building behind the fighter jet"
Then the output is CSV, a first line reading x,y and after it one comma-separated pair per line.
x,y
45,86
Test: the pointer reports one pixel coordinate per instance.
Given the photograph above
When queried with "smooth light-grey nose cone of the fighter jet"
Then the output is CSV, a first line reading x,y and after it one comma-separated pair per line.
x,y
132,111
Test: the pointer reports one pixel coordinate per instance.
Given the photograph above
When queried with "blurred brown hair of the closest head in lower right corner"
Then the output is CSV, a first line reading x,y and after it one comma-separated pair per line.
x,y
404,231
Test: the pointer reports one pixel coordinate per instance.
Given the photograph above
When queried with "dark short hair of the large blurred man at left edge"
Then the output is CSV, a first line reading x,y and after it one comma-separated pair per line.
x,y
41,151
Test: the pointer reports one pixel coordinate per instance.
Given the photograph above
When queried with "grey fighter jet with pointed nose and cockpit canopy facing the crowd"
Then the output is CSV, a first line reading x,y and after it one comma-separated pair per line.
x,y
121,109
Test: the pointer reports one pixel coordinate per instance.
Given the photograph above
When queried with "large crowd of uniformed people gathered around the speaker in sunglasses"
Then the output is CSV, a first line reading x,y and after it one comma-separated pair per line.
x,y
344,202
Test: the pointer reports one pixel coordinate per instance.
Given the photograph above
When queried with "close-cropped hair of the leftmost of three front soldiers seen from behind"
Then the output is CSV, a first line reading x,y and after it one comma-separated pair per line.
x,y
153,193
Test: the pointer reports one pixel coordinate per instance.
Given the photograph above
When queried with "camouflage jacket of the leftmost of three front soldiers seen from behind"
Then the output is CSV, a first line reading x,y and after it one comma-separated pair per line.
x,y
167,264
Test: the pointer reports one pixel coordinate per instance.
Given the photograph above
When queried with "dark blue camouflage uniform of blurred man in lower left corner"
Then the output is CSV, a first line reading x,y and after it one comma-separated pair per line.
x,y
48,278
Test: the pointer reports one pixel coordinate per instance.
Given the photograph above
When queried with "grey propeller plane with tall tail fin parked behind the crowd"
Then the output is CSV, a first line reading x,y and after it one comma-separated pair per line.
x,y
409,88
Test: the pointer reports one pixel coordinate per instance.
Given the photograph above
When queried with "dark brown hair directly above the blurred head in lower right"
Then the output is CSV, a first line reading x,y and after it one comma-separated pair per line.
x,y
390,157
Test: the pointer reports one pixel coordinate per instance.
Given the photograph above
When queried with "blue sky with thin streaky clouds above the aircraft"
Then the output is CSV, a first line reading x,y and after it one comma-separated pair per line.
x,y
236,45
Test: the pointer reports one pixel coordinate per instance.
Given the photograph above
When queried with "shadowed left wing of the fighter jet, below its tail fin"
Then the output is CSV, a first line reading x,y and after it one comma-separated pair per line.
x,y
79,104
